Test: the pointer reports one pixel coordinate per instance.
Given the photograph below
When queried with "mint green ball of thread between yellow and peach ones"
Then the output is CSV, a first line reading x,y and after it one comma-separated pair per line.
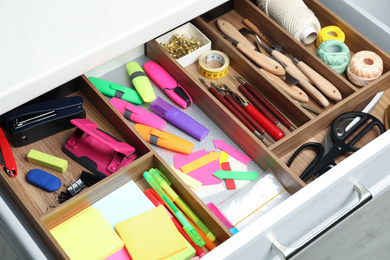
x,y
334,53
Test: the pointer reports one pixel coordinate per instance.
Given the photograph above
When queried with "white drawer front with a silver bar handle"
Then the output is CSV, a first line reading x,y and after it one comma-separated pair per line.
x,y
311,209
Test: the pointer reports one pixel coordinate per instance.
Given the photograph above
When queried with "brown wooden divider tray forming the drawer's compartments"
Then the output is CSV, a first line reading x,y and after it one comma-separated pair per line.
x,y
33,203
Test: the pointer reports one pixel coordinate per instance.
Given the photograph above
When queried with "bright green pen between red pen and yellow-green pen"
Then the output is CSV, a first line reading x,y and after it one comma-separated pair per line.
x,y
190,230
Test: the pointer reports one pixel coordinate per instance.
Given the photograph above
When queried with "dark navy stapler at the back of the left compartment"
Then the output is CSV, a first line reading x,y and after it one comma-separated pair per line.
x,y
34,122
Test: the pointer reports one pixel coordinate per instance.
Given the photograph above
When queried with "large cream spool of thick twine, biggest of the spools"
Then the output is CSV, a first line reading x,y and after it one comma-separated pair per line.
x,y
294,16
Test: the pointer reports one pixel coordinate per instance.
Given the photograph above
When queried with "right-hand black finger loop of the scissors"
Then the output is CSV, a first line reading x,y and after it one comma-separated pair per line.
x,y
363,119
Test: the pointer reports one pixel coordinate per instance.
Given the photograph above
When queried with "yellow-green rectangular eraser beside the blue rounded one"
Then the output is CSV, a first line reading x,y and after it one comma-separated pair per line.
x,y
47,160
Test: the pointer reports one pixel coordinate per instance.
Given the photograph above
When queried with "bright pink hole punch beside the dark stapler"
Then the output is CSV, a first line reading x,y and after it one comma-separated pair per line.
x,y
96,150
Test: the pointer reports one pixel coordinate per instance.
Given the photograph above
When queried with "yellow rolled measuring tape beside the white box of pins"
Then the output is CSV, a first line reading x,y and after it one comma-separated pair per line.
x,y
213,64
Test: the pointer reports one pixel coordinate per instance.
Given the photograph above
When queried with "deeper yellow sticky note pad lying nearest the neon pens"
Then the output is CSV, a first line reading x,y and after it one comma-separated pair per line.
x,y
151,235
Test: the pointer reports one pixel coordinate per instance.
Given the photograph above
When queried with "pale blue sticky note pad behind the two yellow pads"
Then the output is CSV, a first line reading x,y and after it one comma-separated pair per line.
x,y
123,203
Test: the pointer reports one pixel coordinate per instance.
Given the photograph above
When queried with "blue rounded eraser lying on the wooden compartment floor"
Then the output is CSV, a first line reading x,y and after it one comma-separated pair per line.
x,y
43,180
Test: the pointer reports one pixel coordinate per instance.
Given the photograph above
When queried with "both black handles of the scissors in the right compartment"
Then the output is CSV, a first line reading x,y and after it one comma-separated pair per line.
x,y
341,139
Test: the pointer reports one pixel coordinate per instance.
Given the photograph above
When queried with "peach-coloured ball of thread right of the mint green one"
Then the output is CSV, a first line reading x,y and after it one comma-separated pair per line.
x,y
364,67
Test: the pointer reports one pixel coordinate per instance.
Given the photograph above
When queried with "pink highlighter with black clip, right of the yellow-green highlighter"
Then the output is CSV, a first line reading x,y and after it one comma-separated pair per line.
x,y
168,84
